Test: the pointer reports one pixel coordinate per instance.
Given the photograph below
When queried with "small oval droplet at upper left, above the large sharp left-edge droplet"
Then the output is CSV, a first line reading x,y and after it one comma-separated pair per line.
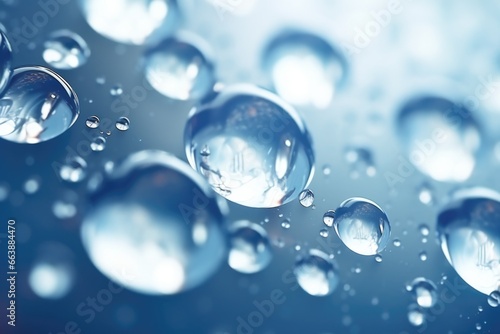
x,y
65,50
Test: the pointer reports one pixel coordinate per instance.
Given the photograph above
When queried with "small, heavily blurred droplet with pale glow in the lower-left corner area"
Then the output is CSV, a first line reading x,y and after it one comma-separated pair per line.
x,y
52,275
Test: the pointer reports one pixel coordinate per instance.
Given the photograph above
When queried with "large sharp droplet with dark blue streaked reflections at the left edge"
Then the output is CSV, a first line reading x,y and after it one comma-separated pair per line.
x,y
38,105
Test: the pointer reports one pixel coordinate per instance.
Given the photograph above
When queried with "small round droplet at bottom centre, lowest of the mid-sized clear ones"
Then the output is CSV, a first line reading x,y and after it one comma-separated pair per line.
x,y
316,273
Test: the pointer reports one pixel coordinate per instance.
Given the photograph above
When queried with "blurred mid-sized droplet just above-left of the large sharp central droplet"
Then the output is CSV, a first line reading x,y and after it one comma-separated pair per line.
x,y
178,68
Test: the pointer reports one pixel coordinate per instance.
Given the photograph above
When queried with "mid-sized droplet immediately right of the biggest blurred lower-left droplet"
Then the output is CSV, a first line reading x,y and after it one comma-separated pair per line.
x,y
250,250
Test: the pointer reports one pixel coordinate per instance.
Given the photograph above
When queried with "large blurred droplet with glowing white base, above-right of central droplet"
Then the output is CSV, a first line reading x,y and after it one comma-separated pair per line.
x,y
304,68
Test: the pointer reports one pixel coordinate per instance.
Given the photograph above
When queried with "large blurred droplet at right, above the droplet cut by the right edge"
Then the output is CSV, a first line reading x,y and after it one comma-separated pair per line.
x,y
441,139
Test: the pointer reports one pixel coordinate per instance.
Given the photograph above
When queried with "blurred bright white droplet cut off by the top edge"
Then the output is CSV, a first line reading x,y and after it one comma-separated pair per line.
x,y
129,21
